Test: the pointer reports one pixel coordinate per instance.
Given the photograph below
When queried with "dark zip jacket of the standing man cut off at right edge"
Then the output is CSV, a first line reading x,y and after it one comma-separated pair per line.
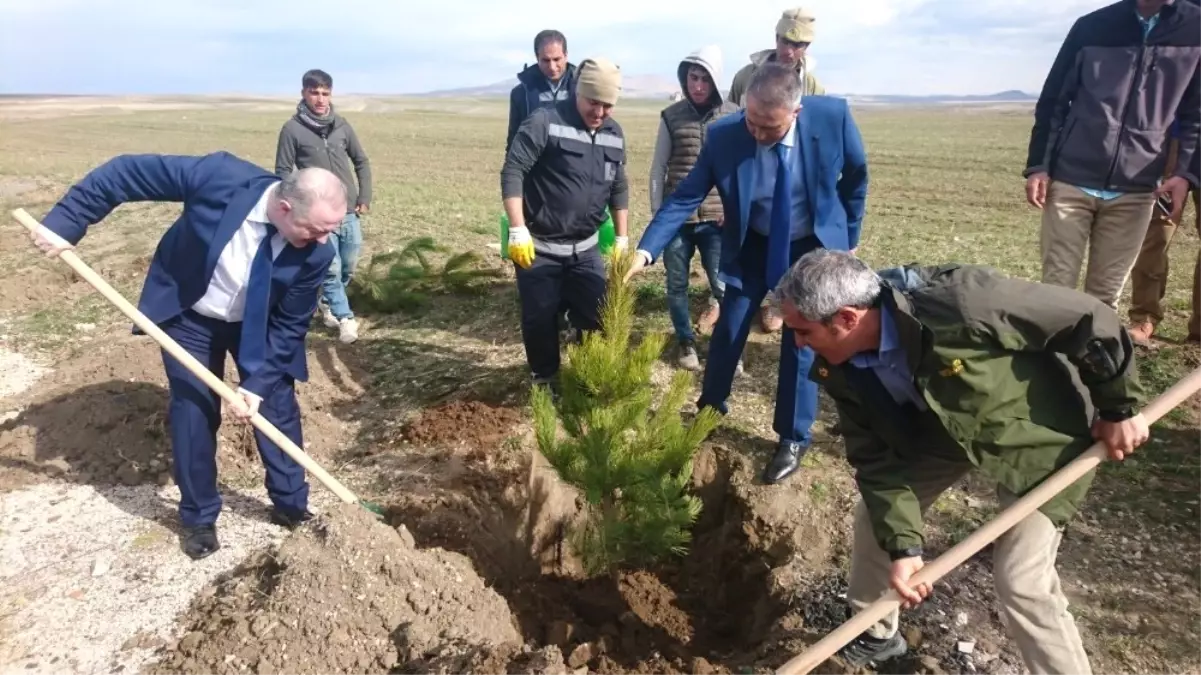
x,y
1109,103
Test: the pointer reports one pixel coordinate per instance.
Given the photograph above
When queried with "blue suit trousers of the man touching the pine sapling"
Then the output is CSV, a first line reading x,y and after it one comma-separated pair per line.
x,y
797,396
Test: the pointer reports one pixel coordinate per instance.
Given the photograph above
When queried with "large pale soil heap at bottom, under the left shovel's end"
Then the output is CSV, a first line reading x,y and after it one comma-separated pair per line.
x,y
346,594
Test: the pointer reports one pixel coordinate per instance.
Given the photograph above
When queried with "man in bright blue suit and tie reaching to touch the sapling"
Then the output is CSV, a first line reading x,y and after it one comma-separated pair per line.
x,y
792,178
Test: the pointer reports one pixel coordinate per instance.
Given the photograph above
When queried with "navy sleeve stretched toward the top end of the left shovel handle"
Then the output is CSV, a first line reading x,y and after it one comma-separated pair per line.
x,y
123,180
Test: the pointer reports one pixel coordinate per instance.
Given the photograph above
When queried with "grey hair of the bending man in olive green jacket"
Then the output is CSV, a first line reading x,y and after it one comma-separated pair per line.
x,y
824,282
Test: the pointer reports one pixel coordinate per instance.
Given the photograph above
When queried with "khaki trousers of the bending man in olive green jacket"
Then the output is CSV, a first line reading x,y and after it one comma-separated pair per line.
x,y
1027,584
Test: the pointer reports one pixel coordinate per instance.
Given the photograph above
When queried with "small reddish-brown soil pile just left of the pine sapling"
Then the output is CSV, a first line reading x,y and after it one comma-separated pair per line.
x,y
473,423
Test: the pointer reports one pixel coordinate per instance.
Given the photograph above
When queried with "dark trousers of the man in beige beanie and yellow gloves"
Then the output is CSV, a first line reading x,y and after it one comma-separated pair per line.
x,y
576,283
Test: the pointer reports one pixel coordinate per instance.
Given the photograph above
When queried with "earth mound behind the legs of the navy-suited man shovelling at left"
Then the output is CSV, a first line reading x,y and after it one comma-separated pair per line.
x,y
101,419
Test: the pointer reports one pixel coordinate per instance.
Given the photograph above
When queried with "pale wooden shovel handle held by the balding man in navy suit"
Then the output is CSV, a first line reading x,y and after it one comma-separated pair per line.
x,y
192,363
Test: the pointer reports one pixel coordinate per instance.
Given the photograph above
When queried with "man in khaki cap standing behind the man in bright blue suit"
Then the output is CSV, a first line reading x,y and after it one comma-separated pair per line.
x,y
794,33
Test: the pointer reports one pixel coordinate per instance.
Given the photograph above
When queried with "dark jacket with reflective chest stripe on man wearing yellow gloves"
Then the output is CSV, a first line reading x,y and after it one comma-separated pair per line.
x,y
566,174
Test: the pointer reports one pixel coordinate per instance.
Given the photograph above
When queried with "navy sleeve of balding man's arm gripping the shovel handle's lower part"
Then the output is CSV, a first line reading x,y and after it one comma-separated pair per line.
x,y
288,326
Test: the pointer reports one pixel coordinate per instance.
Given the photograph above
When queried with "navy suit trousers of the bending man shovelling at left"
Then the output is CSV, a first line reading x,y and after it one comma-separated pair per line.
x,y
196,416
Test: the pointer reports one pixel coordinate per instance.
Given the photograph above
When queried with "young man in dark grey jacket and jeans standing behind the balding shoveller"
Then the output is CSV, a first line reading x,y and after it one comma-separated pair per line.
x,y
316,136
